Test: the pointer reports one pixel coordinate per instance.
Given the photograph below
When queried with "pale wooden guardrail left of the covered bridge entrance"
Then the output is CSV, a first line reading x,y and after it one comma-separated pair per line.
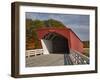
x,y
35,52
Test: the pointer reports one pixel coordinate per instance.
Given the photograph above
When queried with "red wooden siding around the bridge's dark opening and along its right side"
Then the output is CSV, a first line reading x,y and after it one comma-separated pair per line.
x,y
74,42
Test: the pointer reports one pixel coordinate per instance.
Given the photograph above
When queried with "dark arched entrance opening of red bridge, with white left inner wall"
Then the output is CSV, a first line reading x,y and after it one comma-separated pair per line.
x,y
55,43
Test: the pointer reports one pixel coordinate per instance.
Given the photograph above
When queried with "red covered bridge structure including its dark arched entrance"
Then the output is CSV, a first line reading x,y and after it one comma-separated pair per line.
x,y
59,40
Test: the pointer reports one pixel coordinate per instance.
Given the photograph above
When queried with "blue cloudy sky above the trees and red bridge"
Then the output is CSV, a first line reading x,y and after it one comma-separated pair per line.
x,y
78,23
